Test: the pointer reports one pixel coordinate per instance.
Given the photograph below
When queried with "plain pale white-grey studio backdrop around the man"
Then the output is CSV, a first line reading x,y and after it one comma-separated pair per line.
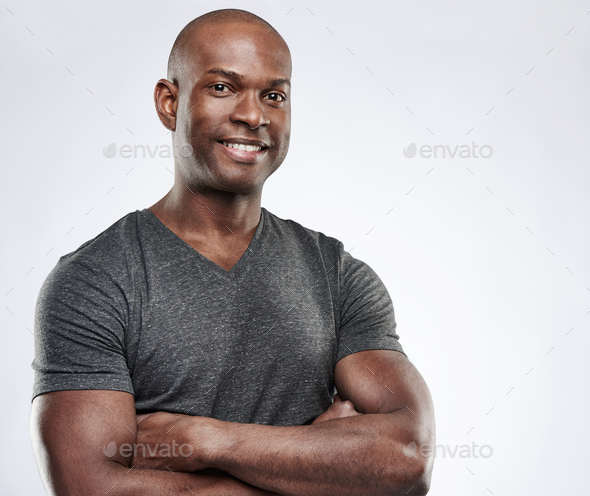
x,y
486,260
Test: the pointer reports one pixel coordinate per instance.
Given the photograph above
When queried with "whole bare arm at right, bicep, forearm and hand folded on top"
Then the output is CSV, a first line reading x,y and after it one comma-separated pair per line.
x,y
346,456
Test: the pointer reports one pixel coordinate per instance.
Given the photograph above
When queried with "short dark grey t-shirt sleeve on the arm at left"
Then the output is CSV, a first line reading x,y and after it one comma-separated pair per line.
x,y
80,320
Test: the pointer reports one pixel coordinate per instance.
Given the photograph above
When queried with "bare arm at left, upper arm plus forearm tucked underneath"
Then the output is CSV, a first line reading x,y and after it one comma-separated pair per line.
x,y
73,432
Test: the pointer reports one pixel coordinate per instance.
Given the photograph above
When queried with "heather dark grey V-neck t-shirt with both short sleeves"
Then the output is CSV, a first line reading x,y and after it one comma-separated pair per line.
x,y
137,309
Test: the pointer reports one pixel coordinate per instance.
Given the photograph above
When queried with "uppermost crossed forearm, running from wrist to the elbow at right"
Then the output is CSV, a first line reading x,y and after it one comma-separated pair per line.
x,y
345,456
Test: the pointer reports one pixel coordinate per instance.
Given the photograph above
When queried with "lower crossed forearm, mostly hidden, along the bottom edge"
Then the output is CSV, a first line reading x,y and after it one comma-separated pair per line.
x,y
129,482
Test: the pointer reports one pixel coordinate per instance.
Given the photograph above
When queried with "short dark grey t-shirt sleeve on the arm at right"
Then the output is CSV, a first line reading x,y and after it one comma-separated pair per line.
x,y
367,320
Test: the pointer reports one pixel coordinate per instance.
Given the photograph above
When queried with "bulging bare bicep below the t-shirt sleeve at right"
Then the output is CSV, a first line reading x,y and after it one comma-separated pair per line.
x,y
384,381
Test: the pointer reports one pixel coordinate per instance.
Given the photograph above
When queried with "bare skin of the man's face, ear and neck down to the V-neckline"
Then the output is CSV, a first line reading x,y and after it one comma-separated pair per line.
x,y
214,204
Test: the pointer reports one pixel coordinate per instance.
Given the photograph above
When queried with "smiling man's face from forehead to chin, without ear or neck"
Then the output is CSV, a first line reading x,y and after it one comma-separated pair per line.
x,y
235,91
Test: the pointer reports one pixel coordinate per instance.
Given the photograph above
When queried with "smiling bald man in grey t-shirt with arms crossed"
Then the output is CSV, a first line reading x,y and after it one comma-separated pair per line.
x,y
225,329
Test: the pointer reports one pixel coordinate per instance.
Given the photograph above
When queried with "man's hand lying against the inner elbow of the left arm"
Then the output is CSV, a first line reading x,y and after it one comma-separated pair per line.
x,y
166,441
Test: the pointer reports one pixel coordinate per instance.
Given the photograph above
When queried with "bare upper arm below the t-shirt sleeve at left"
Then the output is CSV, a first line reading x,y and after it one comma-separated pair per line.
x,y
73,434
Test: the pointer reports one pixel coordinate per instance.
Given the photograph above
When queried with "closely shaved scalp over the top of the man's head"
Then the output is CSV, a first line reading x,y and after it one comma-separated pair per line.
x,y
180,54
